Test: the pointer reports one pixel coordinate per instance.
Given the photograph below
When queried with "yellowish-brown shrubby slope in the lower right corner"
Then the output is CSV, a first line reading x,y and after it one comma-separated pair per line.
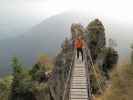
x,y
122,84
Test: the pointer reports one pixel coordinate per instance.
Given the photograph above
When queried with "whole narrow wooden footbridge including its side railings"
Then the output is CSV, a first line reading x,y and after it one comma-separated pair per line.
x,y
78,86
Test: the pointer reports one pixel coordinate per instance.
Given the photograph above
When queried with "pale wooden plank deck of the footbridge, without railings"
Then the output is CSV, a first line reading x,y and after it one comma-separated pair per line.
x,y
78,86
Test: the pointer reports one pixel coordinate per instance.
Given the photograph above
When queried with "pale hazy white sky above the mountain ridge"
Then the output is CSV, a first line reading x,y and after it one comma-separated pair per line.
x,y
16,15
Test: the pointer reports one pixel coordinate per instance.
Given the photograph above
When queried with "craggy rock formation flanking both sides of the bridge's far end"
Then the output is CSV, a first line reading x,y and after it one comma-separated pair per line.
x,y
94,34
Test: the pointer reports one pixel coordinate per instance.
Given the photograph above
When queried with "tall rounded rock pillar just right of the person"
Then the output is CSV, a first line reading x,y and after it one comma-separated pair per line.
x,y
95,34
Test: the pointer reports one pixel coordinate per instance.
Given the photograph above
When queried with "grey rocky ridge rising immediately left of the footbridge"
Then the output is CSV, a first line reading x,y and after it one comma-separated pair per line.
x,y
60,72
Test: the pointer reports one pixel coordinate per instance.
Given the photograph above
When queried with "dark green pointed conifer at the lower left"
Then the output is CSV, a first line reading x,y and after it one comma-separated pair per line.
x,y
21,85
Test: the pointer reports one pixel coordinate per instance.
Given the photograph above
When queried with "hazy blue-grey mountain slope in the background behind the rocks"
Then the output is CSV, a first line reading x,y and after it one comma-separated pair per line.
x,y
47,37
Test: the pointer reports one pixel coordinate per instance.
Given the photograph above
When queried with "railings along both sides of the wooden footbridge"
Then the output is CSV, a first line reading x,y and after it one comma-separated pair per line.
x,y
89,65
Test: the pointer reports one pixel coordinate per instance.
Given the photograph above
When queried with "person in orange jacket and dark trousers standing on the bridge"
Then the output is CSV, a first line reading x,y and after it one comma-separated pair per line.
x,y
79,45
